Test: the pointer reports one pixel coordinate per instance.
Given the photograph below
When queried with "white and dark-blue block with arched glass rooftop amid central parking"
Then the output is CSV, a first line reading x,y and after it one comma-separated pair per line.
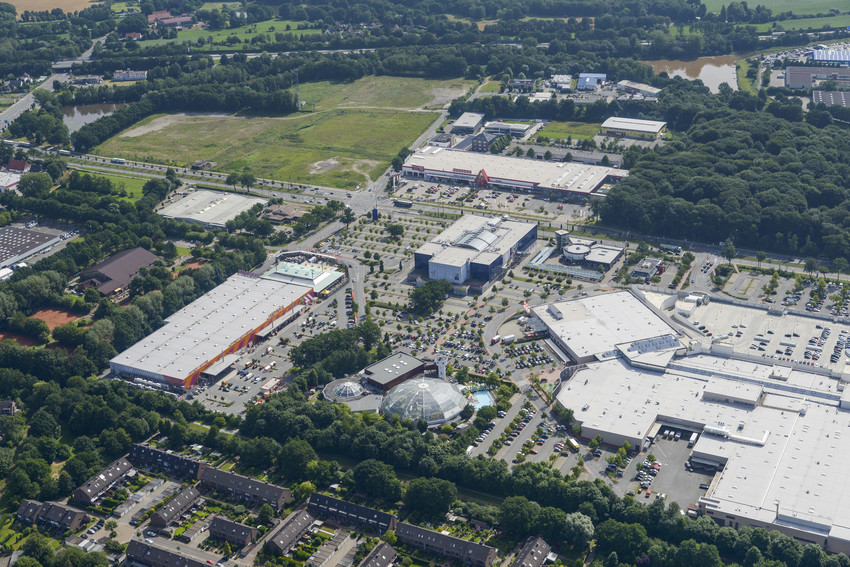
x,y
475,248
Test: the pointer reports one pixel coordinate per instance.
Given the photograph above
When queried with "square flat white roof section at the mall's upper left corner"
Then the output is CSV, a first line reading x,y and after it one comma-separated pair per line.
x,y
595,324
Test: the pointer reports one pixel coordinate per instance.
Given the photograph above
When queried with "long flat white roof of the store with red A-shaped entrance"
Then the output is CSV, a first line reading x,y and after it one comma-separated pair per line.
x,y
564,176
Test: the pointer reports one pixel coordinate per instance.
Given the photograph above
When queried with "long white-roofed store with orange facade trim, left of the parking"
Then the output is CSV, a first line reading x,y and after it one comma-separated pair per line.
x,y
202,337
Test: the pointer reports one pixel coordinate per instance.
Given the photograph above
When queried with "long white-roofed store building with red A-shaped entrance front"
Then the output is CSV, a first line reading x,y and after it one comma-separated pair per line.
x,y
547,178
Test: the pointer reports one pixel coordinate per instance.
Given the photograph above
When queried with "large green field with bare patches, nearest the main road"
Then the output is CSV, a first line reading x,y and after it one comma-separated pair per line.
x,y
338,148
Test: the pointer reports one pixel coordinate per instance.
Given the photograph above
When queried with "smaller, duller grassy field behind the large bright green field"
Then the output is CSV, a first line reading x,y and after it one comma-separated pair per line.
x,y
383,92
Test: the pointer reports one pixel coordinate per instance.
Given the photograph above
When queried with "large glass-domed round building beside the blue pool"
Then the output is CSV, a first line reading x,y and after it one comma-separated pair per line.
x,y
435,401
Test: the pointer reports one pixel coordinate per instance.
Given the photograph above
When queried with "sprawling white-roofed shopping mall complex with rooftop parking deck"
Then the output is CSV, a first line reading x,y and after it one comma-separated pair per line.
x,y
771,426
